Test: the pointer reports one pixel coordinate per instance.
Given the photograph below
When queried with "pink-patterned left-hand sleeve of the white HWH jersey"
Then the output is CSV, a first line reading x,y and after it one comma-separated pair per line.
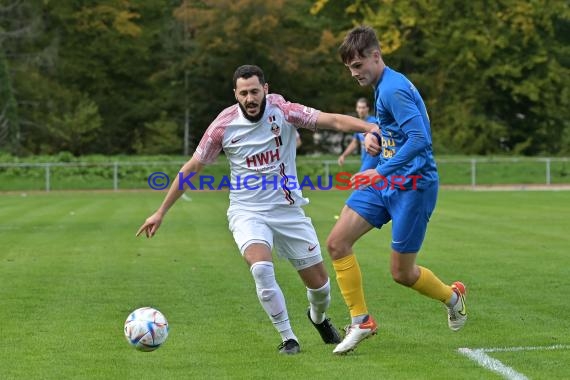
x,y
211,143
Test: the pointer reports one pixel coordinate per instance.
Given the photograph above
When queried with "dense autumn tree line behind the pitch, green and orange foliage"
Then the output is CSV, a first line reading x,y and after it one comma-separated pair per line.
x,y
144,76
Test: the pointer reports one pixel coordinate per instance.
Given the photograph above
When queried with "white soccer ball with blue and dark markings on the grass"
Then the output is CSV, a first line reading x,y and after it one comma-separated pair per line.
x,y
146,329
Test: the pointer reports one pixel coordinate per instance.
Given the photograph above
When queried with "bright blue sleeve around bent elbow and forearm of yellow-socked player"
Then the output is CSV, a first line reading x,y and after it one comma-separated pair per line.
x,y
417,141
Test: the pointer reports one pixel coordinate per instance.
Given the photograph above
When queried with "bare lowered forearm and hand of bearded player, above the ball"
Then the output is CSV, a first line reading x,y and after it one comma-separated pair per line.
x,y
153,222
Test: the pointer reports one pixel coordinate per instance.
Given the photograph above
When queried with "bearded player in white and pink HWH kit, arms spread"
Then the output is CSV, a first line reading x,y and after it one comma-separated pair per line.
x,y
258,137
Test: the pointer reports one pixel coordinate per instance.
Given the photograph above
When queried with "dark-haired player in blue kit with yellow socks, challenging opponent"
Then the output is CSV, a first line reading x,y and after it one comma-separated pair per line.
x,y
402,188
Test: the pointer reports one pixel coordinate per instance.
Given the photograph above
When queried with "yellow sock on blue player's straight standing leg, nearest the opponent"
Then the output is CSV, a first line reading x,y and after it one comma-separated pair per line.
x,y
349,281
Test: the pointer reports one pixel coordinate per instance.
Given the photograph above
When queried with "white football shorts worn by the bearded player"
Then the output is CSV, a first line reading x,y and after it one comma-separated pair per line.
x,y
284,227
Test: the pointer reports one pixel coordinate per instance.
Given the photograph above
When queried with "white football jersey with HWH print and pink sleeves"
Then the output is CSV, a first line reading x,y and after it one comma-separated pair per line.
x,y
261,154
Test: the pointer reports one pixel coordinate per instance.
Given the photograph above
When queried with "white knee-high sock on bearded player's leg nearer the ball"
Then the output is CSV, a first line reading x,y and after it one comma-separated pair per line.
x,y
271,298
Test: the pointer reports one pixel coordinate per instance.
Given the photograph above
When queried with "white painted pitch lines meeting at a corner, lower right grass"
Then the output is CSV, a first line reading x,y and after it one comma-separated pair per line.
x,y
479,355
